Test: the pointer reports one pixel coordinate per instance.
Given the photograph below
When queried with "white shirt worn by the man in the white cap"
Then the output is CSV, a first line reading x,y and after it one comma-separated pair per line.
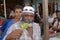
x,y
25,34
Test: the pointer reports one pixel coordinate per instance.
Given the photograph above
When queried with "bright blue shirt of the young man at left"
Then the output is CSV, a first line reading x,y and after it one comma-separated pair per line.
x,y
5,27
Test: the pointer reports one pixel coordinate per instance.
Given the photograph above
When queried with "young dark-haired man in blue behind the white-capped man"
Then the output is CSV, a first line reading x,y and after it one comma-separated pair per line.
x,y
17,11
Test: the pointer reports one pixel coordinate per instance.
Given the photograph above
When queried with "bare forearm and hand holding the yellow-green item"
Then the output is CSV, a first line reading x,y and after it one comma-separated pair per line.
x,y
14,34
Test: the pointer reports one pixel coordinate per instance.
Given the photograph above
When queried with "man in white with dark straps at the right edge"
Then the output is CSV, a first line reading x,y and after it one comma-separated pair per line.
x,y
55,22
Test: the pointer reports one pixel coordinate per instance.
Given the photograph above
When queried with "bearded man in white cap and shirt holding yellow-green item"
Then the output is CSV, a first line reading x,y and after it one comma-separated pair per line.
x,y
25,29
